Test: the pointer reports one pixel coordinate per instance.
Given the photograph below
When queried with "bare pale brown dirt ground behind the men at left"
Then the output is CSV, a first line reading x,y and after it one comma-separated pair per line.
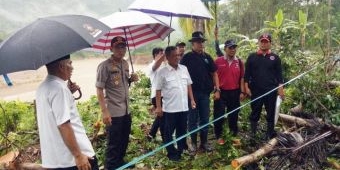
x,y
25,83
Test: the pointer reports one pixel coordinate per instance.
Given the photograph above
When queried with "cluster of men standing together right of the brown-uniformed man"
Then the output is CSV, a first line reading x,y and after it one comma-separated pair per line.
x,y
185,100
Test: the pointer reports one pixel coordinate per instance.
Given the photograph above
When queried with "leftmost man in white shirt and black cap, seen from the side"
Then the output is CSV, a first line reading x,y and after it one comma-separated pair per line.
x,y
63,140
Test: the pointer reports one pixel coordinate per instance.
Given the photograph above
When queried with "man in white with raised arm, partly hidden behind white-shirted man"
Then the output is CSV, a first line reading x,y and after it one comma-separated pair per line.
x,y
157,63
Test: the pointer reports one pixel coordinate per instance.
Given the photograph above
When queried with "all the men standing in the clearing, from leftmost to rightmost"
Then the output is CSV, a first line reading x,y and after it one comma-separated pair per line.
x,y
181,91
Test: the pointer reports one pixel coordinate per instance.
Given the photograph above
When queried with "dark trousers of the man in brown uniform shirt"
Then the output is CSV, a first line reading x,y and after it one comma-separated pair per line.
x,y
117,141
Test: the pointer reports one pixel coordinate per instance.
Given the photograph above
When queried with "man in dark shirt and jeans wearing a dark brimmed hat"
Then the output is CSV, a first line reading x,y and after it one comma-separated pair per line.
x,y
202,70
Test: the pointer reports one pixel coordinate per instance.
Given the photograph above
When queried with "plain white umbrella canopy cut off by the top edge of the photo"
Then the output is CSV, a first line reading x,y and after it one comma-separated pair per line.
x,y
179,8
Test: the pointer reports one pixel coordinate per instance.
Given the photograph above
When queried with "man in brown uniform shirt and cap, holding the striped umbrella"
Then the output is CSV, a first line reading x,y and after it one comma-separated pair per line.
x,y
113,77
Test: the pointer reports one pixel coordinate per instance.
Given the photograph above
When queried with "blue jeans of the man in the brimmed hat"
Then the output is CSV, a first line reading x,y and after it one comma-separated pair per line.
x,y
199,116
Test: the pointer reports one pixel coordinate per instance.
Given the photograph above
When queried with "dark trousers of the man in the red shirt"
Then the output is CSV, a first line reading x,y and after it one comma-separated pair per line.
x,y
229,99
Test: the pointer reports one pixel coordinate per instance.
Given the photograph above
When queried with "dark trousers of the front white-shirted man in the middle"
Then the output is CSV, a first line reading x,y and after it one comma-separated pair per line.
x,y
175,121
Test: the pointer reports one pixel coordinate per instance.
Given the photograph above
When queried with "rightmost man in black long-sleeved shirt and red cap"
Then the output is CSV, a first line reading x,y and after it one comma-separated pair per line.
x,y
262,74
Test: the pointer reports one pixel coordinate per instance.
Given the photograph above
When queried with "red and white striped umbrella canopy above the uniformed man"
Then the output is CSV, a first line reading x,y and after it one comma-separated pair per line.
x,y
138,28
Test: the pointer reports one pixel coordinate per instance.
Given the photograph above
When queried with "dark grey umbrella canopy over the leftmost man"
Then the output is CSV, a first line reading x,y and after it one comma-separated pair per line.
x,y
48,39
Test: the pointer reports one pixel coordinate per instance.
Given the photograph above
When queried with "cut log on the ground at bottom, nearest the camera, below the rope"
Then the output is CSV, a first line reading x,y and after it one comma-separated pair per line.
x,y
244,160
